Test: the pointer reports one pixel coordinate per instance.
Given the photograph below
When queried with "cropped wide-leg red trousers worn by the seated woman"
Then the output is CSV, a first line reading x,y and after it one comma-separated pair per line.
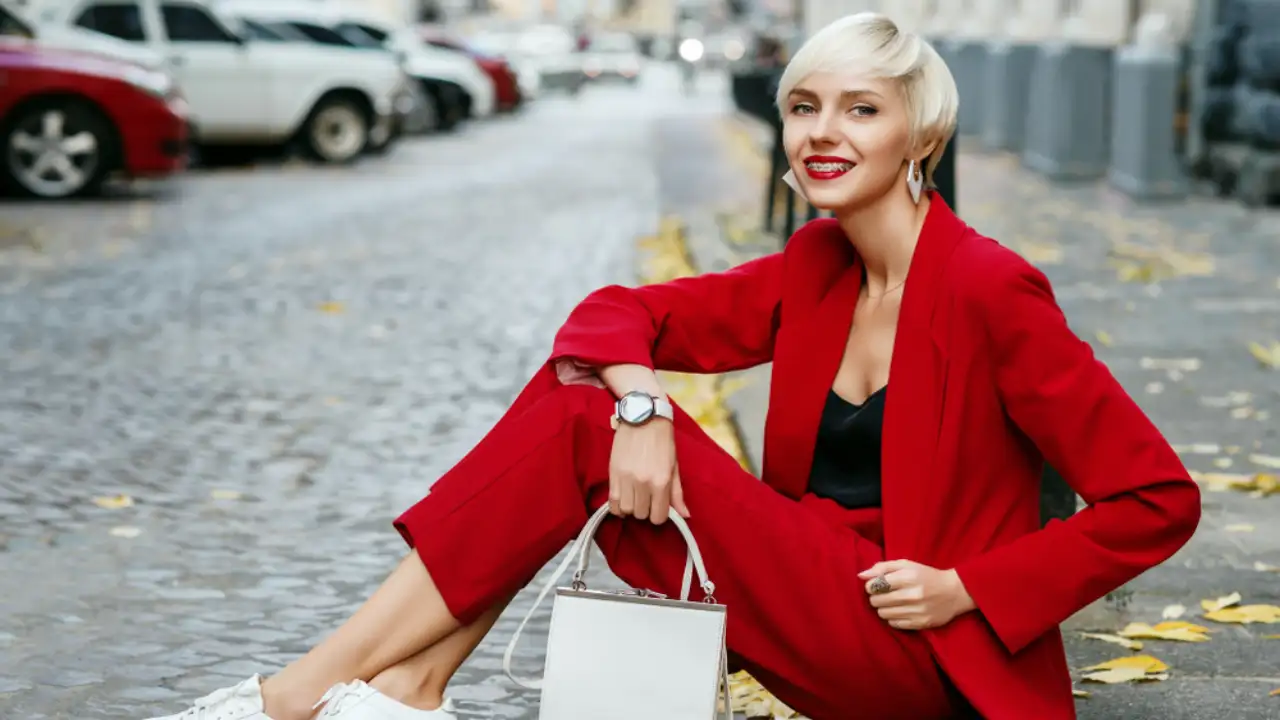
x,y
799,618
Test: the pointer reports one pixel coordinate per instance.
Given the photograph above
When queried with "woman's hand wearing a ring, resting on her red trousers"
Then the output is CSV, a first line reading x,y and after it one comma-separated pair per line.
x,y
920,596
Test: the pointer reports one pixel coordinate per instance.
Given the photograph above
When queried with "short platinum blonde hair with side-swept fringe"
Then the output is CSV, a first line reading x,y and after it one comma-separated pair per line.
x,y
872,44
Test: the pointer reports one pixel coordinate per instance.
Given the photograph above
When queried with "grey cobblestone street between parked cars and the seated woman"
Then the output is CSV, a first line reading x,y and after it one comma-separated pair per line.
x,y
273,364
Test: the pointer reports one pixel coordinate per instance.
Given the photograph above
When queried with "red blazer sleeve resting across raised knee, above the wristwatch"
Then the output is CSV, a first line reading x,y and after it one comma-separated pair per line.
x,y
710,323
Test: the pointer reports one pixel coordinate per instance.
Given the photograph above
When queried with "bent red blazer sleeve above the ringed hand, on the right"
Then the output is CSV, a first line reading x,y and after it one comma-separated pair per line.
x,y
1142,504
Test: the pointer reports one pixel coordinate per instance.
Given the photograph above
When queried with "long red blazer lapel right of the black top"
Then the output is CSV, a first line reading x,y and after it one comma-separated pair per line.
x,y
917,393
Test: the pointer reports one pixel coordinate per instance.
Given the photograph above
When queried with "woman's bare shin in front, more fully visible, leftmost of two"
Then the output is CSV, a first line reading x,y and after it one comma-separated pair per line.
x,y
405,617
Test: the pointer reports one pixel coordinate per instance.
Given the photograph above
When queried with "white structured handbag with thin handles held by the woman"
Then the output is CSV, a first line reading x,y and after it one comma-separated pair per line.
x,y
630,655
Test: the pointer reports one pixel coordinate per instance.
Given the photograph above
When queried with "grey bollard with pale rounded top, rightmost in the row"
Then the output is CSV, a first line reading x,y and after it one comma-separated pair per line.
x,y
1144,144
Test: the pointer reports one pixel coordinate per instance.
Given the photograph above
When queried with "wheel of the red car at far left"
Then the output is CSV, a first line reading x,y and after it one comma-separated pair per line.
x,y
58,148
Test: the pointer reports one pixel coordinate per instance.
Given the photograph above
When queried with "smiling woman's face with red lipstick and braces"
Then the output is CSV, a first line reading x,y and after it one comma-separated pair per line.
x,y
847,139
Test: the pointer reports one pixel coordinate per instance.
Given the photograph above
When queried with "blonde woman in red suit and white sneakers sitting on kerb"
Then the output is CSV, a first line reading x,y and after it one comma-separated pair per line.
x,y
892,563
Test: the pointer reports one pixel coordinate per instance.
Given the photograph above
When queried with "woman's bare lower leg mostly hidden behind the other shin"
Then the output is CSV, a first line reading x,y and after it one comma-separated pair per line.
x,y
420,681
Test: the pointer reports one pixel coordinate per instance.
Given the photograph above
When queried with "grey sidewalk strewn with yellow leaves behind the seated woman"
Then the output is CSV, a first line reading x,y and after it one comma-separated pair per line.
x,y
1172,298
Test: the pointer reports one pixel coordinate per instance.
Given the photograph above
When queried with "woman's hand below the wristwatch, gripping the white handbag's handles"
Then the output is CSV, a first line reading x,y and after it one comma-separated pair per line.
x,y
644,481
